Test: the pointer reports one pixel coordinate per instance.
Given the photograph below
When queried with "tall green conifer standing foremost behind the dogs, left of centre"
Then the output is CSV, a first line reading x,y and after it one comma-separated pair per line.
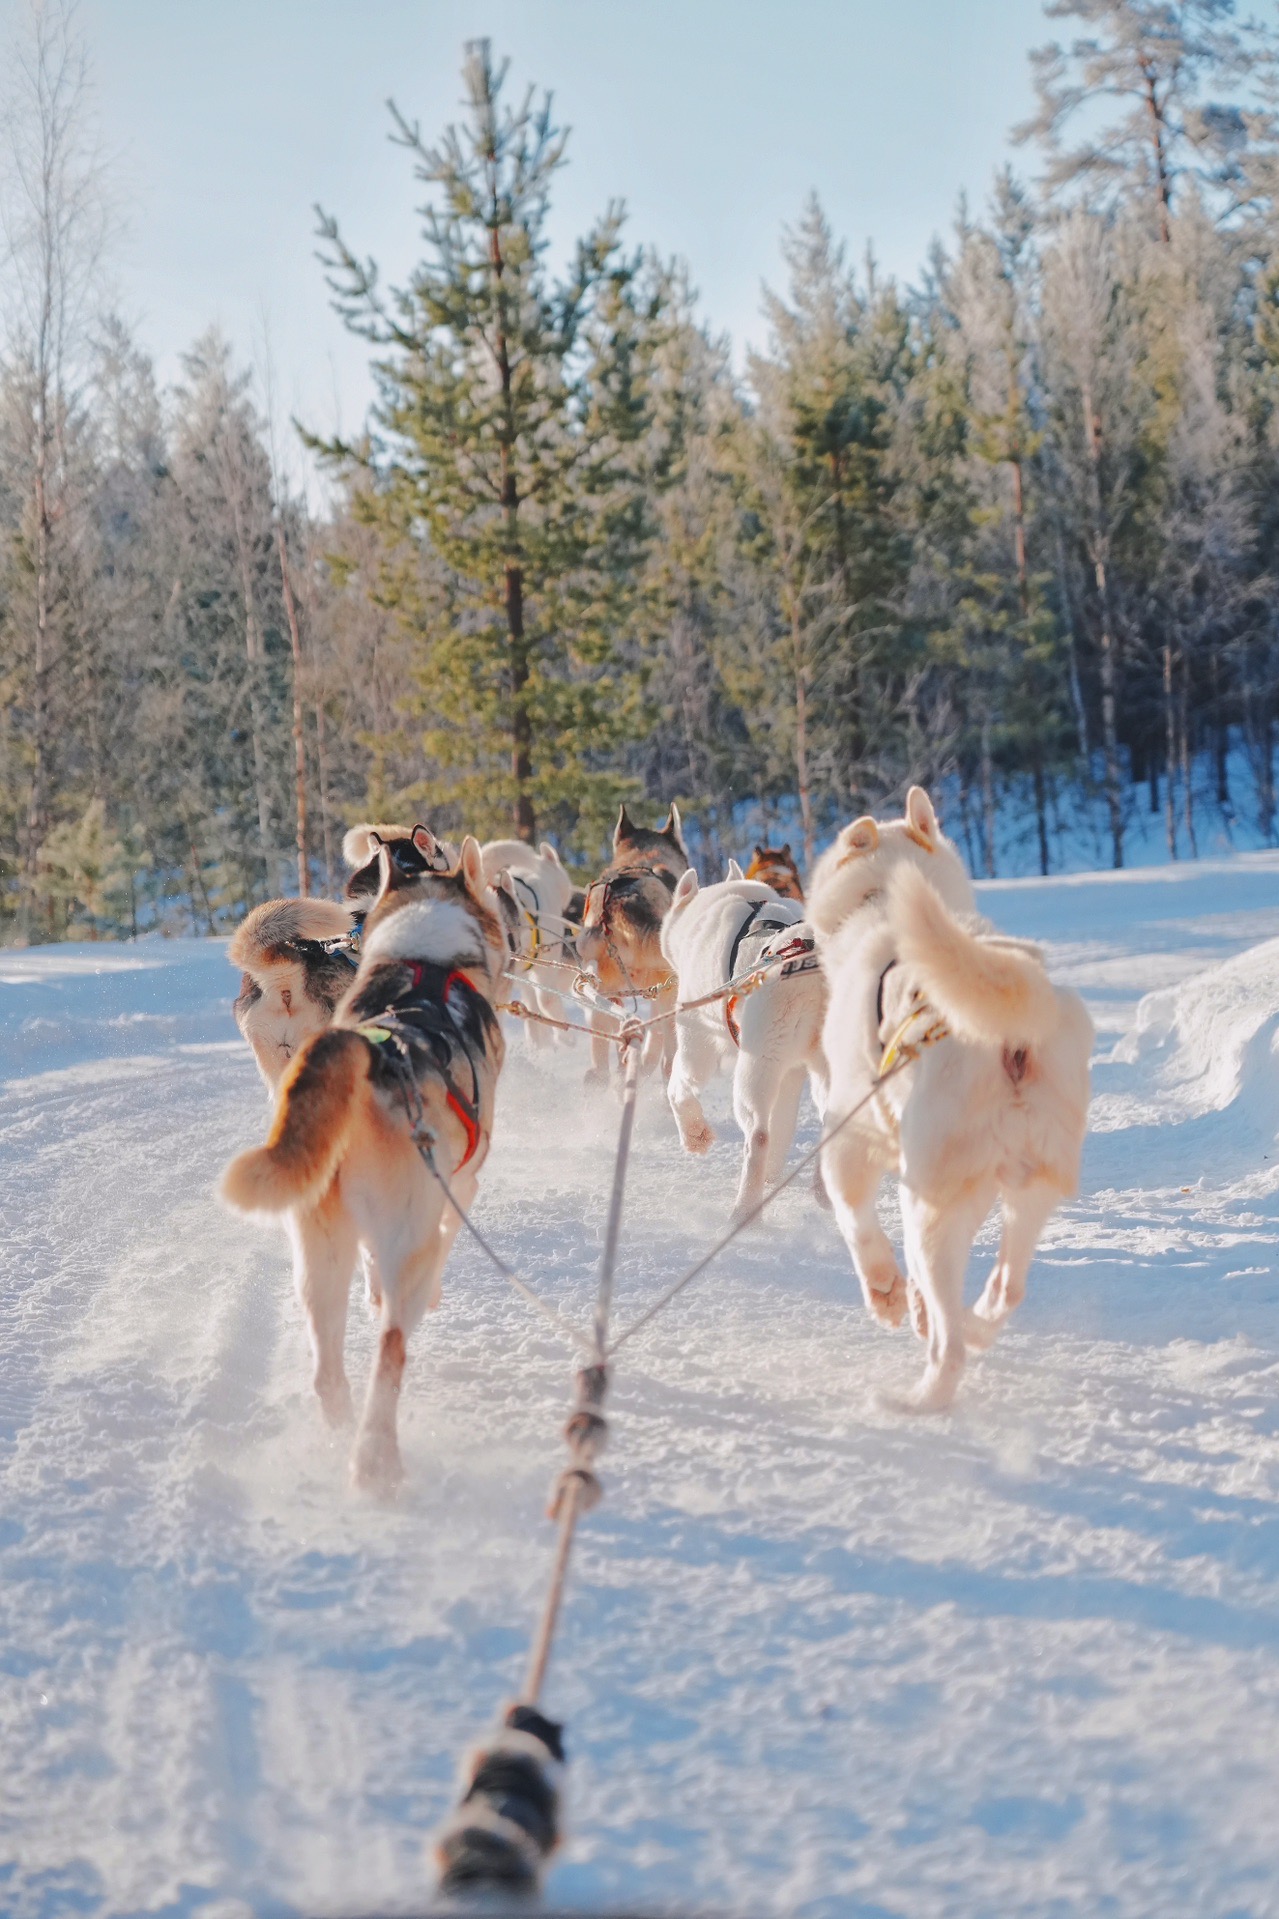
x,y
508,440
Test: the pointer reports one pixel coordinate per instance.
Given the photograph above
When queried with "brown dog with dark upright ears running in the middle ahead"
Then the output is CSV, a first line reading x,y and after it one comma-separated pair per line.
x,y
621,928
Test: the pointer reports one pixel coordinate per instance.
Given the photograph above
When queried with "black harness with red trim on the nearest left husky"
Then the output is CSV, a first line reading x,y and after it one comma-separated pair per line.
x,y
429,1020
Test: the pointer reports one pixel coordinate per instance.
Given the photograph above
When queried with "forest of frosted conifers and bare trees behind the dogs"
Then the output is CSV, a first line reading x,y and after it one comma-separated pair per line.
x,y
1011,533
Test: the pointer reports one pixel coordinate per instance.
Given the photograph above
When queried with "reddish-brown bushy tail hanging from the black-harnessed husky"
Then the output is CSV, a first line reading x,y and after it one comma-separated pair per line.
x,y
310,1133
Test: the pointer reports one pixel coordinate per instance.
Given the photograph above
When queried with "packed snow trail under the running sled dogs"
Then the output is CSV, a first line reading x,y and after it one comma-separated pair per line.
x,y
819,1661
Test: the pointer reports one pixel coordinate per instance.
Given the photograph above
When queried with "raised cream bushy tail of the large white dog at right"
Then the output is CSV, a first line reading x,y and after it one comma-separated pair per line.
x,y
986,989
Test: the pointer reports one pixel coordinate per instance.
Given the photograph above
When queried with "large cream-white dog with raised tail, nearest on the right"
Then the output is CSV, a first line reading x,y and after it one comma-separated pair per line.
x,y
998,1110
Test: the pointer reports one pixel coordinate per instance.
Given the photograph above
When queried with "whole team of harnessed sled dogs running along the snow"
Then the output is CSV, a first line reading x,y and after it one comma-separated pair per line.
x,y
377,1028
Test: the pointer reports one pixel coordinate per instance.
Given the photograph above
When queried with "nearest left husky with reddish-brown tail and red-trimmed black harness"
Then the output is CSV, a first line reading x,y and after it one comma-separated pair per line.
x,y
416,1039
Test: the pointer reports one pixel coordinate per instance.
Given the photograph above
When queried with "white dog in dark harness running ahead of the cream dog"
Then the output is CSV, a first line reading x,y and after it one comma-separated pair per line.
x,y
771,1039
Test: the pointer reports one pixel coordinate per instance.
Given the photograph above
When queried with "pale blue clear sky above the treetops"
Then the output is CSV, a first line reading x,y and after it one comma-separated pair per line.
x,y
712,118
